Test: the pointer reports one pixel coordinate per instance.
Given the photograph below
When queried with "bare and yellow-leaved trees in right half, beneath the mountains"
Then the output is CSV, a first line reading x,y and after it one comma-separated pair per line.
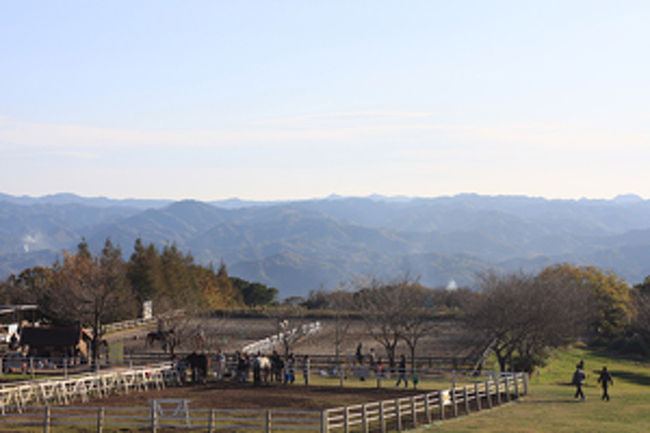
x,y
519,316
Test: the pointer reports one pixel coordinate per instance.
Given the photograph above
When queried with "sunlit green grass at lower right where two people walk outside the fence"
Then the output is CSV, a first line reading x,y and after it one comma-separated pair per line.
x,y
550,406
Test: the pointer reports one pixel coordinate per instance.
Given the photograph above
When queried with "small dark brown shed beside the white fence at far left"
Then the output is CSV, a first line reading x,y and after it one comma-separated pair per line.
x,y
48,342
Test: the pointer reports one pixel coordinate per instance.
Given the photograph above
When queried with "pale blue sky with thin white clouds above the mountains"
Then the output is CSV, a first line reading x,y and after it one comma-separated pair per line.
x,y
276,100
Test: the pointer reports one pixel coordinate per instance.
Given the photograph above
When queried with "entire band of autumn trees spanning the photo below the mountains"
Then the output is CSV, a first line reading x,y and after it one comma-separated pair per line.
x,y
521,316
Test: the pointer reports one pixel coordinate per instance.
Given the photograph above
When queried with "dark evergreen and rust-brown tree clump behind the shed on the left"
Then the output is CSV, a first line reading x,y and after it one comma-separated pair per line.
x,y
91,291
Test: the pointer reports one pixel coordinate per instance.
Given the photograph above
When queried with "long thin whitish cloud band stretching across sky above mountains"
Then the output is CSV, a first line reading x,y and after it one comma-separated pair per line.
x,y
407,129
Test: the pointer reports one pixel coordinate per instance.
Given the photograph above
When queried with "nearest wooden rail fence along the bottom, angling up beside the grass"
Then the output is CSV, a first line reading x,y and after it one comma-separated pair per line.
x,y
384,416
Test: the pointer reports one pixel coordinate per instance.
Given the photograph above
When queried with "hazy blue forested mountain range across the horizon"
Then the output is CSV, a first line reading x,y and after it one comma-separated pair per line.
x,y
298,246
